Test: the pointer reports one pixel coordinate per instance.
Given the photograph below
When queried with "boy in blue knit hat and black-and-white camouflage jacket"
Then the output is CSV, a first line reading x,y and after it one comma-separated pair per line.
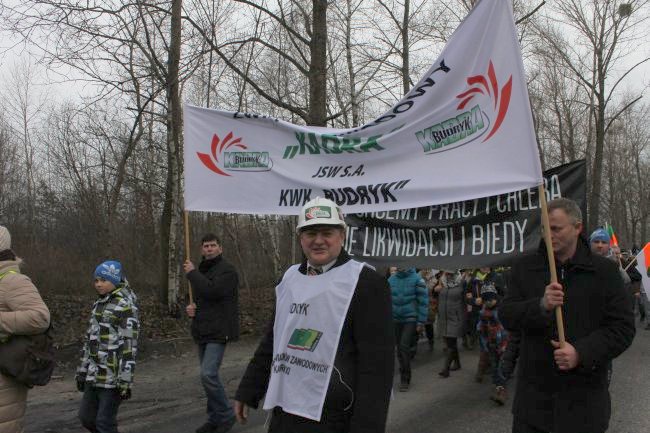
x,y
110,346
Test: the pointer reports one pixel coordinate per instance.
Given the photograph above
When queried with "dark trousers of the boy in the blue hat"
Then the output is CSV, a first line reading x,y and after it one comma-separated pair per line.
x,y
98,411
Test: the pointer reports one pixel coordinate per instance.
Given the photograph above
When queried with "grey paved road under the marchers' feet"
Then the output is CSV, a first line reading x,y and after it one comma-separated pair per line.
x,y
454,405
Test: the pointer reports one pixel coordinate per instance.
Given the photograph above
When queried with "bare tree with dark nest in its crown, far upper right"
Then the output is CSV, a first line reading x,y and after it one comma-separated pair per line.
x,y
603,34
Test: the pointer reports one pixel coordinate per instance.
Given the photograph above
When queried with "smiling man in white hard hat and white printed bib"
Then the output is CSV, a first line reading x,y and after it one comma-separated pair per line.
x,y
356,395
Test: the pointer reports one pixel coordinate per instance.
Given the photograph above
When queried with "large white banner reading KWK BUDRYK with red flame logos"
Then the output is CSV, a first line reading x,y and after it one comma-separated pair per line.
x,y
464,131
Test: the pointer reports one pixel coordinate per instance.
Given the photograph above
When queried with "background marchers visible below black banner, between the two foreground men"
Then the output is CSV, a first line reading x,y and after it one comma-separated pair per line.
x,y
457,306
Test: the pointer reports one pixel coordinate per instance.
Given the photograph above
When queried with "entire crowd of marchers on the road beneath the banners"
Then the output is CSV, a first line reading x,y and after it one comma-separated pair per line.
x,y
354,323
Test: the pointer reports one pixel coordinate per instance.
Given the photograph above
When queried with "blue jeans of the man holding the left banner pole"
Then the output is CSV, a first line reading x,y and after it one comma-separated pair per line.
x,y
219,409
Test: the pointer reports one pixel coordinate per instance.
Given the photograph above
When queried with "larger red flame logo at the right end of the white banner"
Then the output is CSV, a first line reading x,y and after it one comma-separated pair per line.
x,y
479,84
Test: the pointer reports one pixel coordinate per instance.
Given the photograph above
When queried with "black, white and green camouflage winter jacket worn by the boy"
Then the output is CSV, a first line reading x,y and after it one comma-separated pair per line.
x,y
110,347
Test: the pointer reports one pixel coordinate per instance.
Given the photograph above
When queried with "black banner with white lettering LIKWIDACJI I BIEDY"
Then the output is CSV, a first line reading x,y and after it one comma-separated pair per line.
x,y
489,231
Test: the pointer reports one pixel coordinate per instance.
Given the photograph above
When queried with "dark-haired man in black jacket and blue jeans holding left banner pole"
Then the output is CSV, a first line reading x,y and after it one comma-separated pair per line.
x,y
215,322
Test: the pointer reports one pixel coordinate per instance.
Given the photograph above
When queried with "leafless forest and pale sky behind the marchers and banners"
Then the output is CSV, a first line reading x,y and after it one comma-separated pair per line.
x,y
91,122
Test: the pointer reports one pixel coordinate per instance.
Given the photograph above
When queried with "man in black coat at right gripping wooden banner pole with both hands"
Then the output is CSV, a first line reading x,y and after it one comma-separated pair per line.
x,y
563,389
